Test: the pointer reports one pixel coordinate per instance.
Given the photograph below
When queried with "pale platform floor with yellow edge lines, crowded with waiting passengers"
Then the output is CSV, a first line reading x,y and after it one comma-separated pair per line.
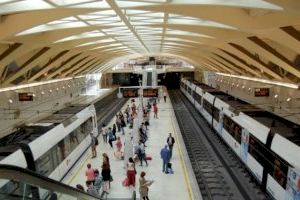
x,y
168,186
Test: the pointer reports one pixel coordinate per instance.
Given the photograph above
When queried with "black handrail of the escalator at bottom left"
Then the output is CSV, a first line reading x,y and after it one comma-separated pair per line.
x,y
10,172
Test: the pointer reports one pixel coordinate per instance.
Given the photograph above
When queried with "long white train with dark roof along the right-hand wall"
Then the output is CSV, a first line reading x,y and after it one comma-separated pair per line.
x,y
267,144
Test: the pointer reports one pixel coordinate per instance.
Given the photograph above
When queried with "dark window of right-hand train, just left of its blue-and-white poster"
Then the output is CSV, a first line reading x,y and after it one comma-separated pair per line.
x,y
232,128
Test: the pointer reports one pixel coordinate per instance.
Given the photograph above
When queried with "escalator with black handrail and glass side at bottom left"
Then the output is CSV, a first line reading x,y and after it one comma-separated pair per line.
x,y
22,184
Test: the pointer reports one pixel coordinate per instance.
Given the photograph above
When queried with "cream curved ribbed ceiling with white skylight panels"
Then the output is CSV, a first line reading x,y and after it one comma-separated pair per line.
x,y
47,39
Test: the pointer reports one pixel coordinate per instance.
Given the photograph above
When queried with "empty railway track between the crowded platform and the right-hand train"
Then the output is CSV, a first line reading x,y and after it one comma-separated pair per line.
x,y
219,173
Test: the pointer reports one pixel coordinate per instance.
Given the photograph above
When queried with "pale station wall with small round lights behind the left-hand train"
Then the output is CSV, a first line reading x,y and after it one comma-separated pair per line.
x,y
46,100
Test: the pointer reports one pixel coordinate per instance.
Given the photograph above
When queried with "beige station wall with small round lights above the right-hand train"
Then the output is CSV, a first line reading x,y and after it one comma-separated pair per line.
x,y
282,101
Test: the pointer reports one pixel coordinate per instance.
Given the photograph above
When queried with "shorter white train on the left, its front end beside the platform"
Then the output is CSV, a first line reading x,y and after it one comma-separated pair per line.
x,y
50,146
